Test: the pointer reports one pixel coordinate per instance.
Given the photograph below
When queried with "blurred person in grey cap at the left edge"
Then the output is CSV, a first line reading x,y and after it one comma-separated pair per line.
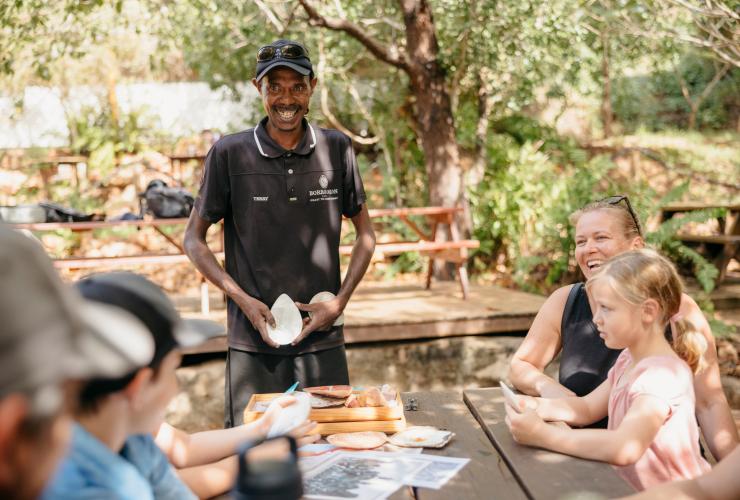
x,y
49,339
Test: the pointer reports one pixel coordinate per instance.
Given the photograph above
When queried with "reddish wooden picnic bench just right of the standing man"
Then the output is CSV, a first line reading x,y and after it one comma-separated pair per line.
x,y
429,243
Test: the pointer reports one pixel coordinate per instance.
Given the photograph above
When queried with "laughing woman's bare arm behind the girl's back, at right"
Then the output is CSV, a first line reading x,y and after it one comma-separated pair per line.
x,y
712,411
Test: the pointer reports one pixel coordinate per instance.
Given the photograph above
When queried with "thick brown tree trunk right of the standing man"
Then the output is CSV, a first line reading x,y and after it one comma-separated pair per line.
x,y
433,105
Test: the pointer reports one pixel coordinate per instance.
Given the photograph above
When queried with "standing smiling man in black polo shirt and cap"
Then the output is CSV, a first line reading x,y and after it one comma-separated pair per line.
x,y
281,189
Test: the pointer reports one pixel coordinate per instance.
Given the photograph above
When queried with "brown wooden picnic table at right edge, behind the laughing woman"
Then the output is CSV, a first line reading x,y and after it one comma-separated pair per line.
x,y
720,247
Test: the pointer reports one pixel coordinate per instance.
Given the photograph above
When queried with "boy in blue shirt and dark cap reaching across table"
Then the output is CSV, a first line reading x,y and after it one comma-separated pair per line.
x,y
121,447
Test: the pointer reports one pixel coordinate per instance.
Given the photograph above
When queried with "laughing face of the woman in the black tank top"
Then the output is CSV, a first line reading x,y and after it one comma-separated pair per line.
x,y
599,236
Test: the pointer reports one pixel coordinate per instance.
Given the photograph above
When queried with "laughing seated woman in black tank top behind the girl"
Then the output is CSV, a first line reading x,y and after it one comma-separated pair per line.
x,y
564,325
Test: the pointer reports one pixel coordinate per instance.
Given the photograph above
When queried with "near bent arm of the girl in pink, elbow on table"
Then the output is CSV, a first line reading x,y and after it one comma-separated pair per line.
x,y
622,446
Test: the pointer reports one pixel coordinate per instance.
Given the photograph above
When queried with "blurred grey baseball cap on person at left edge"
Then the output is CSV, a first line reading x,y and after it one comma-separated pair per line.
x,y
49,333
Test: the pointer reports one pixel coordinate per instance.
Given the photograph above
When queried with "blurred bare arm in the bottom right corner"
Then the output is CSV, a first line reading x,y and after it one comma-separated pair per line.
x,y
721,483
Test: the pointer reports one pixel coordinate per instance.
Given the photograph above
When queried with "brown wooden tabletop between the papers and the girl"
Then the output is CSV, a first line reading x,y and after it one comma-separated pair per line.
x,y
499,467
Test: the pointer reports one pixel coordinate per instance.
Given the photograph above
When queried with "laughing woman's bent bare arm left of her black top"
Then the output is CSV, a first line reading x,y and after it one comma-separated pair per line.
x,y
538,349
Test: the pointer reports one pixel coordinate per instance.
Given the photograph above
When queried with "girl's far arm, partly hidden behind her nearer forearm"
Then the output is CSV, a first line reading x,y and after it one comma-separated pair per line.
x,y
576,411
